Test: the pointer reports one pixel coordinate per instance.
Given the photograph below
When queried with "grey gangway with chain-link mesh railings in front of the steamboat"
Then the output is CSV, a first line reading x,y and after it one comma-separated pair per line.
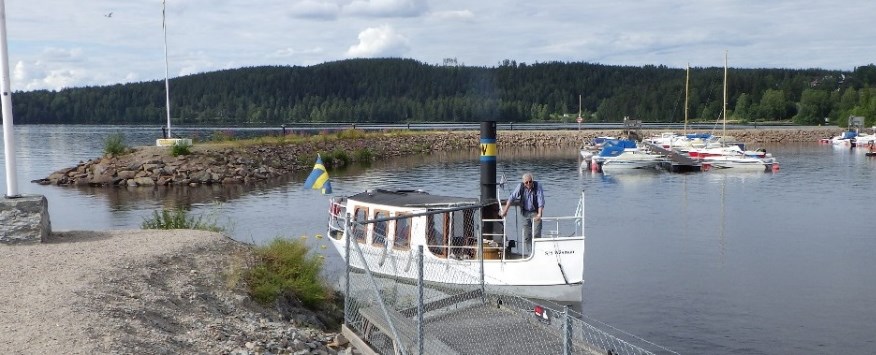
x,y
391,315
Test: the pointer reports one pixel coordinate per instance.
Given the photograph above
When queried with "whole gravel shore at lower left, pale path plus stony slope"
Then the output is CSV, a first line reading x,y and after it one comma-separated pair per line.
x,y
141,292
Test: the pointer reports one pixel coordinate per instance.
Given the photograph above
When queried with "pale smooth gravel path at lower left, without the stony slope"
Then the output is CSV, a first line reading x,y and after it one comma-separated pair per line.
x,y
50,293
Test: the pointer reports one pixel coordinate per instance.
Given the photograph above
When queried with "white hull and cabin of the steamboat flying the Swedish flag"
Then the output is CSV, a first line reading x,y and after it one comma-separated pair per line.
x,y
390,225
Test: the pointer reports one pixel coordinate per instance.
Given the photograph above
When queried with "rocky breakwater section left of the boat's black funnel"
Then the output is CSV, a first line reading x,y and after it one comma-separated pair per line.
x,y
214,164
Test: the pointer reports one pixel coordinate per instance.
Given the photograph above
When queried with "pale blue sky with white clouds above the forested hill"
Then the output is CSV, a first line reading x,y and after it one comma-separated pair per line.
x,y
57,44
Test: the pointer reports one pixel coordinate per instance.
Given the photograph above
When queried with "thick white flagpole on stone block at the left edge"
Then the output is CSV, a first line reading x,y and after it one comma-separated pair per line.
x,y
8,136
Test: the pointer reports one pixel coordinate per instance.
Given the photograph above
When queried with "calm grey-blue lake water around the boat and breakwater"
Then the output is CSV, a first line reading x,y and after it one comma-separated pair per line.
x,y
703,263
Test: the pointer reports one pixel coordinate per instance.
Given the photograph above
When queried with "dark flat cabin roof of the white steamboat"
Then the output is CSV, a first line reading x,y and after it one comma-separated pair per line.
x,y
410,199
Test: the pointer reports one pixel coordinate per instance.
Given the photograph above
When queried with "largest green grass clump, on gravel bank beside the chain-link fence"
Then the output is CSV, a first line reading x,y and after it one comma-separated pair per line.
x,y
286,268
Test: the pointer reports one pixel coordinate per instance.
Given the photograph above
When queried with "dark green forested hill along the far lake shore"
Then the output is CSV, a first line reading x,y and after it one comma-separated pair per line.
x,y
404,90
